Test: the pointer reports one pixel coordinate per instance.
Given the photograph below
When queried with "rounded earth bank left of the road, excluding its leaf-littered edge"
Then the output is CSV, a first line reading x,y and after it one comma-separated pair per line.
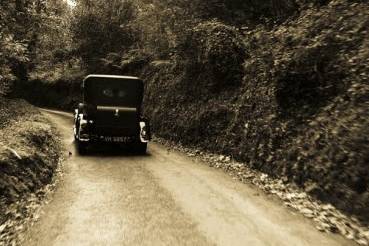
x,y
29,154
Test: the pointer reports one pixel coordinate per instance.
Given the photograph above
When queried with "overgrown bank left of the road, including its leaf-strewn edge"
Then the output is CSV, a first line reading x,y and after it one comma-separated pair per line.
x,y
30,157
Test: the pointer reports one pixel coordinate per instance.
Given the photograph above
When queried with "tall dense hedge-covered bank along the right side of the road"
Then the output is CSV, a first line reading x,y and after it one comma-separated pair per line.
x,y
301,110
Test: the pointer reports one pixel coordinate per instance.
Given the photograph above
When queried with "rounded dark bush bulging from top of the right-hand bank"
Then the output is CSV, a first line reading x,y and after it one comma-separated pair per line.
x,y
216,50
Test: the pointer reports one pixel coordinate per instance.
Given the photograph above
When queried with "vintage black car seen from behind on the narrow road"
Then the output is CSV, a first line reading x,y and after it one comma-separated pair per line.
x,y
111,112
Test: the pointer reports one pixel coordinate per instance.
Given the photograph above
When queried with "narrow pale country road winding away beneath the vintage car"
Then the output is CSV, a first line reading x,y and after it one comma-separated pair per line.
x,y
162,198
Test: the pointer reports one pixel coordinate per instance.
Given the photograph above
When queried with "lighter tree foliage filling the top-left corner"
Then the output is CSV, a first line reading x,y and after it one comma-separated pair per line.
x,y
24,31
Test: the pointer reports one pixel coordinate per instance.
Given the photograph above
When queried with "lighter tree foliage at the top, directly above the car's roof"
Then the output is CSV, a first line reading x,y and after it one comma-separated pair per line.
x,y
100,28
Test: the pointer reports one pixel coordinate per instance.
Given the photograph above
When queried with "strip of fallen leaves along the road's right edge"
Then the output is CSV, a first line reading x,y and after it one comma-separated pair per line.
x,y
326,217
